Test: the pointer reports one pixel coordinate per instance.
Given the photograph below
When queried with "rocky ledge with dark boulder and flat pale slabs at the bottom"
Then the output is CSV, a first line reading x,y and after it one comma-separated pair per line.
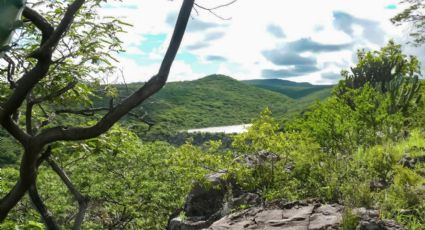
x,y
218,207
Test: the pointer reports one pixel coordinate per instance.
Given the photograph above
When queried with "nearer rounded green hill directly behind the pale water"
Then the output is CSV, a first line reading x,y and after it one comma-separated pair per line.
x,y
211,101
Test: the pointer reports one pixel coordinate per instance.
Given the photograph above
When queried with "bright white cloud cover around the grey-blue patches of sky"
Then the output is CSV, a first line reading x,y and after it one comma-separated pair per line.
x,y
246,36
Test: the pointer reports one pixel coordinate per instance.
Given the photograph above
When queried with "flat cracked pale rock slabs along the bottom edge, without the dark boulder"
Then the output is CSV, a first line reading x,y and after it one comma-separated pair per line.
x,y
301,216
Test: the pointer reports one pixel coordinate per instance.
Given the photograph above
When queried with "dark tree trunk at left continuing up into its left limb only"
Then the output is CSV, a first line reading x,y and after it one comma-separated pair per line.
x,y
24,85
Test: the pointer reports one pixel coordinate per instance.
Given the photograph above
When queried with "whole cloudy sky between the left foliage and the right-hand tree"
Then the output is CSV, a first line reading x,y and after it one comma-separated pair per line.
x,y
299,40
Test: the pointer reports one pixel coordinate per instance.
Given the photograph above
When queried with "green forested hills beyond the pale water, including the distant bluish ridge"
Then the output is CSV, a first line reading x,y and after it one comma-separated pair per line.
x,y
218,100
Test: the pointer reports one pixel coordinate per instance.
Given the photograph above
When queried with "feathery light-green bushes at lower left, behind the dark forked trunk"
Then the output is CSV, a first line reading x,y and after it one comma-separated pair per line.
x,y
129,184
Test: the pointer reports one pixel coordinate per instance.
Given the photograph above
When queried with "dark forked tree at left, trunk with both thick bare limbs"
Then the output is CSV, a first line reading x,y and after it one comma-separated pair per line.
x,y
34,145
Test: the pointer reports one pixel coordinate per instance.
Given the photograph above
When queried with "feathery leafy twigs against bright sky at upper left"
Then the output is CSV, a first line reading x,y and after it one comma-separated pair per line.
x,y
80,58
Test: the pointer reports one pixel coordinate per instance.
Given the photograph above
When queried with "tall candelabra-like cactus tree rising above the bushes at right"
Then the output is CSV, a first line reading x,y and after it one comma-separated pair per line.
x,y
387,70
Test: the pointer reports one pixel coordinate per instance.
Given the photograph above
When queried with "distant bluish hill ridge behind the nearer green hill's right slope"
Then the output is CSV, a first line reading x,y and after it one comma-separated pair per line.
x,y
293,89
